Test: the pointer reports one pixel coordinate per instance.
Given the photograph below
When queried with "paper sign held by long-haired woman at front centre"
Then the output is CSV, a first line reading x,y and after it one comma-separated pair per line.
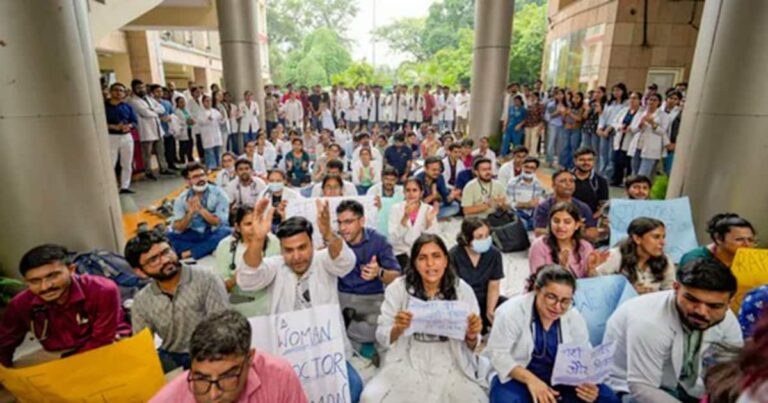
x,y
441,318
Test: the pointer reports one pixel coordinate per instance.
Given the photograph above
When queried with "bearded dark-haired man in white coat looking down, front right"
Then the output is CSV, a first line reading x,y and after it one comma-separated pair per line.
x,y
661,337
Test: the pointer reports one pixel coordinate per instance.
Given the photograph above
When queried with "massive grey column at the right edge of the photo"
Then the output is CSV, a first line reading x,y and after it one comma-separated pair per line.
x,y
723,142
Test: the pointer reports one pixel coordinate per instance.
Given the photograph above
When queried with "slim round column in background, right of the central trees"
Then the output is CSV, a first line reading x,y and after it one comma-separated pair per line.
x,y
490,64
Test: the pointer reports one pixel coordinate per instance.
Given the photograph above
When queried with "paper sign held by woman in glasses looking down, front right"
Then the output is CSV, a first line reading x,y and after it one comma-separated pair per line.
x,y
579,364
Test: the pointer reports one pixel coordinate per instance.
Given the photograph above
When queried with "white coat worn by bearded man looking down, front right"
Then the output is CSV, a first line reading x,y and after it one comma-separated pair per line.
x,y
649,345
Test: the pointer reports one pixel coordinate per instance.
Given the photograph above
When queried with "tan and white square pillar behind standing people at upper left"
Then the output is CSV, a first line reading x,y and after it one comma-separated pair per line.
x,y
144,53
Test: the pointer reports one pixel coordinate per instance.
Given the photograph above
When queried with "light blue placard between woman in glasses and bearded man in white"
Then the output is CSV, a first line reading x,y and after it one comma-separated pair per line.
x,y
597,297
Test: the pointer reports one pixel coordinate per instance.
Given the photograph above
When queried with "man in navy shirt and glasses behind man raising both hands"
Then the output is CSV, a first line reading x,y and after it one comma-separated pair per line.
x,y
361,292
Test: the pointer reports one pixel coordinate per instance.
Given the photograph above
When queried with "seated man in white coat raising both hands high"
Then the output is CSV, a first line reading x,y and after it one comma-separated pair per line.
x,y
300,277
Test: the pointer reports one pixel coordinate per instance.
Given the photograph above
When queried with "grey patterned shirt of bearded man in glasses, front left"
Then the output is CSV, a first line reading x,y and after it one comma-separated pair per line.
x,y
174,317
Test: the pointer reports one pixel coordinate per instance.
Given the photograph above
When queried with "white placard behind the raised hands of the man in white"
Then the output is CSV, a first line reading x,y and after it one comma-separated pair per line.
x,y
307,208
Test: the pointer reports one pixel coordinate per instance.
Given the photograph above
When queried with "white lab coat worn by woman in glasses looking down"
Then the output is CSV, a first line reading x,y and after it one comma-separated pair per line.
x,y
511,342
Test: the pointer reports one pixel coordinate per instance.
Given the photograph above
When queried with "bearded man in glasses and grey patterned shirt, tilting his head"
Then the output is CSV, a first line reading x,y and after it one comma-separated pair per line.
x,y
177,300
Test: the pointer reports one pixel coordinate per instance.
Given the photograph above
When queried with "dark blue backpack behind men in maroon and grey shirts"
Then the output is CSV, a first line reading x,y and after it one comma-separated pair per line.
x,y
114,267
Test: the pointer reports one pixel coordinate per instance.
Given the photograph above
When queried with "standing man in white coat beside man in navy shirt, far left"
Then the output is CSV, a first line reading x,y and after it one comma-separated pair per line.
x,y
148,113
